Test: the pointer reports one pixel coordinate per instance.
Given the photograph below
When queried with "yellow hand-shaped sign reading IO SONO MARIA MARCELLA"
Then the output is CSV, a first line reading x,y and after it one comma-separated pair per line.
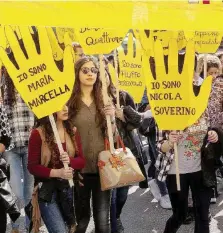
x,y
42,86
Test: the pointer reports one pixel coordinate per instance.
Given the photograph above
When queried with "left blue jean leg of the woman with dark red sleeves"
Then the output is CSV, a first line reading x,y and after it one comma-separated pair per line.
x,y
52,217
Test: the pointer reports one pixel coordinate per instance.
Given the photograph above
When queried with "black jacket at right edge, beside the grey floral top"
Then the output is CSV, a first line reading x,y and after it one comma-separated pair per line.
x,y
210,158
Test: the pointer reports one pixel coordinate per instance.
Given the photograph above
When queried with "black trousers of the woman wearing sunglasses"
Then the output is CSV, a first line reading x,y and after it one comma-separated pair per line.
x,y
100,202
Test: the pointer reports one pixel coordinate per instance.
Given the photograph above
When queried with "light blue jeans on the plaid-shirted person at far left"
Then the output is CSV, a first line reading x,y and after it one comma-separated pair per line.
x,y
17,158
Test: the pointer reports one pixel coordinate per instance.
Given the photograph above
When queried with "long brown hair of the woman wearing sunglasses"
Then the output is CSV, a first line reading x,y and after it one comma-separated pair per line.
x,y
75,99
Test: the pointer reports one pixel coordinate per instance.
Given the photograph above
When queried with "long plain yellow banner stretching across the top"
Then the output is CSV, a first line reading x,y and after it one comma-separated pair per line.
x,y
157,15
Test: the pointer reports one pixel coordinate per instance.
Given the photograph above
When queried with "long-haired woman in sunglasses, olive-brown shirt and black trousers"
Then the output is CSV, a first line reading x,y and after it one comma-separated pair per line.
x,y
87,113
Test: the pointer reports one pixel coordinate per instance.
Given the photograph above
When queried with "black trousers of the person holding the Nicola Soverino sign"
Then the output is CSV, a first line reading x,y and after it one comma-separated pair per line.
x,y
179,199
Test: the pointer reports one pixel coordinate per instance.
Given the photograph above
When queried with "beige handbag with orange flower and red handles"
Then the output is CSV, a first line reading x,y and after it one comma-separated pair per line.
x,y
119,168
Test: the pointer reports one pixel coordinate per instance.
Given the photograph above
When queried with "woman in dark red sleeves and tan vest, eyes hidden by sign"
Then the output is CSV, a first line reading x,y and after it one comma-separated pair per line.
x,y
46,164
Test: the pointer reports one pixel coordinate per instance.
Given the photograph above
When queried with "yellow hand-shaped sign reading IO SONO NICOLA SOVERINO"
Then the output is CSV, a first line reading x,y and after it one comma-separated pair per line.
x,y
171,96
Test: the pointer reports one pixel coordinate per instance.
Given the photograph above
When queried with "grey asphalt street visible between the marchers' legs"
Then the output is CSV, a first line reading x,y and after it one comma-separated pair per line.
x,y
143,215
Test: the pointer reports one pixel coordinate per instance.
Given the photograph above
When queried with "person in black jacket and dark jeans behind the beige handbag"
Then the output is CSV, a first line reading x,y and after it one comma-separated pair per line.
x,y
127,119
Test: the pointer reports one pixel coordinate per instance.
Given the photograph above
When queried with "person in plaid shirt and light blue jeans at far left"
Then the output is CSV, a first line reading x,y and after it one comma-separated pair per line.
x,y
21,121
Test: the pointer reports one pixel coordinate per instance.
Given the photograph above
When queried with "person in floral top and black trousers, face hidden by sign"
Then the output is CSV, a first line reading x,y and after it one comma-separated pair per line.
x,y
193,168
